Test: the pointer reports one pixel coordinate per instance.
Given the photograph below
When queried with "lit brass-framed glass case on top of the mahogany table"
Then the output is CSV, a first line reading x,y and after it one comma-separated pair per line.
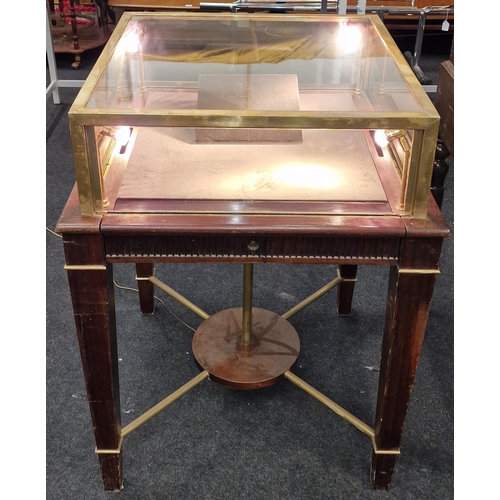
x,y
253,113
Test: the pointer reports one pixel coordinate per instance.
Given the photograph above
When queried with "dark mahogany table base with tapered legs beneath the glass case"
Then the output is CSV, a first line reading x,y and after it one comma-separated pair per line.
x,y
92,245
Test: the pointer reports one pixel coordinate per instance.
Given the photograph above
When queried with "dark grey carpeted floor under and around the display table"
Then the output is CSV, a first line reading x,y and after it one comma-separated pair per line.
x,y
214,443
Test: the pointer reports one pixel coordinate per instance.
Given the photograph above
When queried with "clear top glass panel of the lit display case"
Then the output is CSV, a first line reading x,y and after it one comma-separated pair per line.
x,y
182,63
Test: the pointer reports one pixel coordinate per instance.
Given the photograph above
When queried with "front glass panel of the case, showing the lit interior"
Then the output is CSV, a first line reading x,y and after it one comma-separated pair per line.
x,y
184,169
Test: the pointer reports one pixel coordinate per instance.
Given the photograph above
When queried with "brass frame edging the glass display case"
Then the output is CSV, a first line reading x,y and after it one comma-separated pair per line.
x,y
82,120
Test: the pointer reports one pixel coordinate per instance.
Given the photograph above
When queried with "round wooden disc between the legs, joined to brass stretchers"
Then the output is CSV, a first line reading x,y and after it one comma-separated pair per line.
x,y
273,349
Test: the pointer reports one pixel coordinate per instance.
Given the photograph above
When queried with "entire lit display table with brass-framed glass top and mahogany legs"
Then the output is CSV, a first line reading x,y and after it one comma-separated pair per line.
x,y
251,139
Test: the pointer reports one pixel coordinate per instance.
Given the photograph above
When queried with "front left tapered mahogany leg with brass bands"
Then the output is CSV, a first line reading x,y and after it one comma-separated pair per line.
x,y
92,293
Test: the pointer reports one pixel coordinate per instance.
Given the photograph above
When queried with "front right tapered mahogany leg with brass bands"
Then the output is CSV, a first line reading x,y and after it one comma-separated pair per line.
x,y
411,286
